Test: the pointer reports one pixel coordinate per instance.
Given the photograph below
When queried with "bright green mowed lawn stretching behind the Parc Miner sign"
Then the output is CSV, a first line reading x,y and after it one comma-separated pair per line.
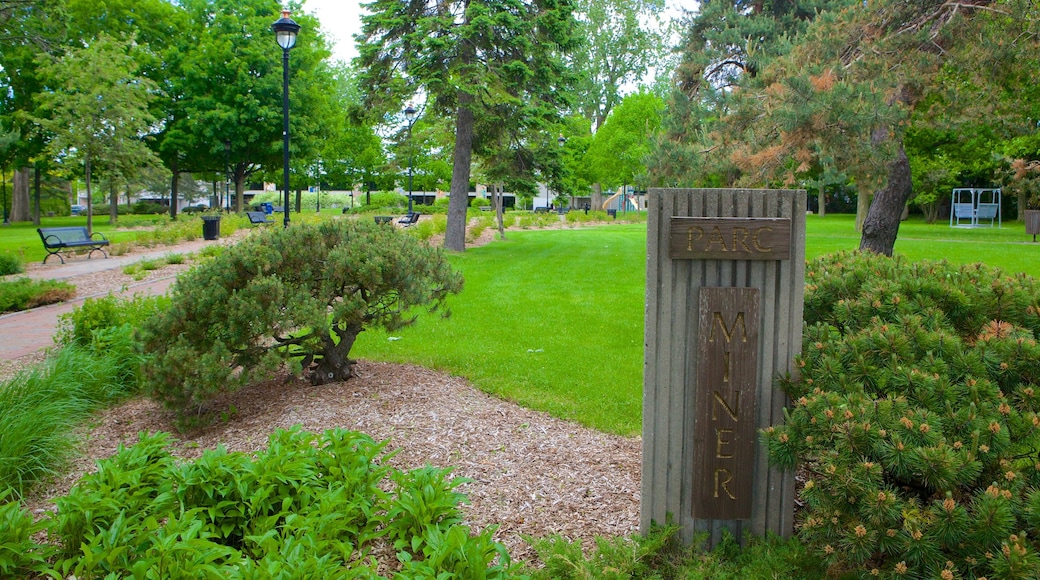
x,y
554,320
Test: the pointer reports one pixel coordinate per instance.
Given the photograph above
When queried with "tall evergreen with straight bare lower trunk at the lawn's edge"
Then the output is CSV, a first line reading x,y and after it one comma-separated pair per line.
x,y
467,58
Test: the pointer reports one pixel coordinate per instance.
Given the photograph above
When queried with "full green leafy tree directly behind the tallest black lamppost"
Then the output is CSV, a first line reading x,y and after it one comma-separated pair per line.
x,y
225,86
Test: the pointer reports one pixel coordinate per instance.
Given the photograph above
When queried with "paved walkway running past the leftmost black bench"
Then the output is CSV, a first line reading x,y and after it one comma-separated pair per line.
x,y
28,332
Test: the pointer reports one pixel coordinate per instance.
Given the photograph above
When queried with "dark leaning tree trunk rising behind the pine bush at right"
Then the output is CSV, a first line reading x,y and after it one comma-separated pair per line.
x,y
882,222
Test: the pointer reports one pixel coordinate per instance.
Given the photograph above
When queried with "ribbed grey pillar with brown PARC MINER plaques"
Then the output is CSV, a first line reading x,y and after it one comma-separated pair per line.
x,y
725,276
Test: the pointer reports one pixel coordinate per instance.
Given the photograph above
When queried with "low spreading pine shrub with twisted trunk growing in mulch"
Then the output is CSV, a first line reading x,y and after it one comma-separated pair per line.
x,y
300,295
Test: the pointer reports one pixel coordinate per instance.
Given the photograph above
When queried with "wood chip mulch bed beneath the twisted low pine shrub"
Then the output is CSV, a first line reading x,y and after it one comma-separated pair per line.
x,y
533,476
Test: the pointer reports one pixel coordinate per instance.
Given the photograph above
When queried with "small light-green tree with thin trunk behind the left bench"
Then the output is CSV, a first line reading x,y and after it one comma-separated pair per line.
x,y
97,110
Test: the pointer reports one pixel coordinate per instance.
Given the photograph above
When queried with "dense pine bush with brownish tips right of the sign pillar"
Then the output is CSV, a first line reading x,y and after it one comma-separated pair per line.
x,y
917,418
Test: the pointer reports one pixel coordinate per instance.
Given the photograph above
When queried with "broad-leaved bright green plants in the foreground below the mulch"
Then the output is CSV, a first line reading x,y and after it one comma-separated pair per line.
x,y
308,507
